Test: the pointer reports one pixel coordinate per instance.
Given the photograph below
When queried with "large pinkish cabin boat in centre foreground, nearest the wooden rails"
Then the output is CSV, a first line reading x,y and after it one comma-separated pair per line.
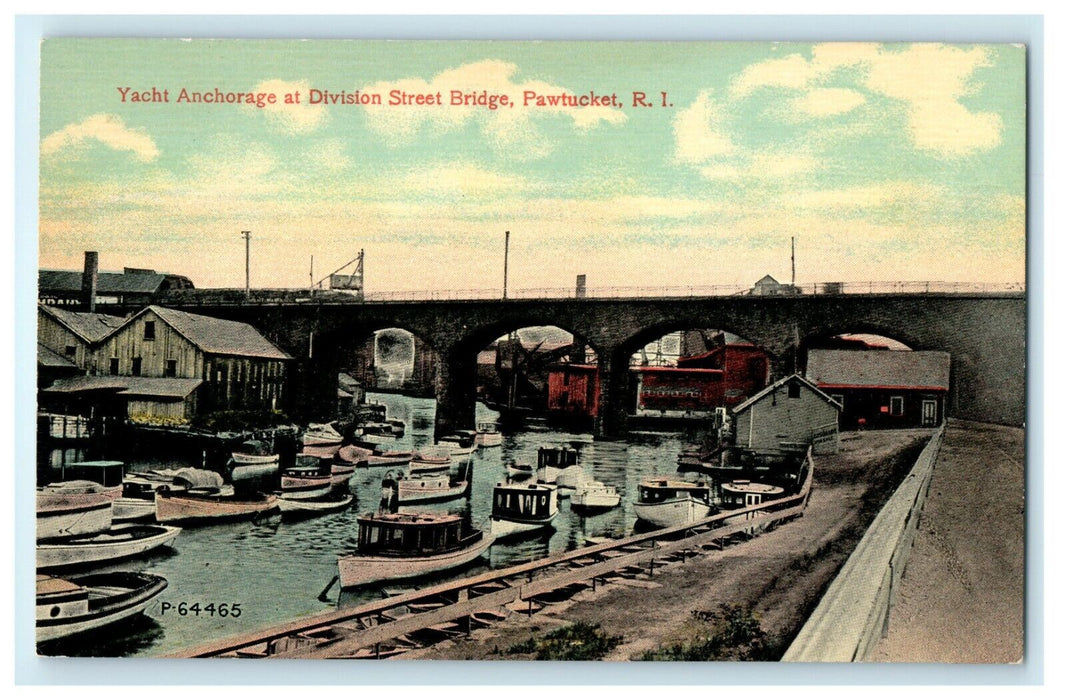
x,y
395,546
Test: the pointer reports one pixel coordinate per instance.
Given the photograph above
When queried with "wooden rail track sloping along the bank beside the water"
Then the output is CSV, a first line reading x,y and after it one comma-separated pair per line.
x,y
418,618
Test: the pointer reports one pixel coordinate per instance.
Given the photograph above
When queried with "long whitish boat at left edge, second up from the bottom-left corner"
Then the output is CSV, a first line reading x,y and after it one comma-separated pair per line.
x,y
117,544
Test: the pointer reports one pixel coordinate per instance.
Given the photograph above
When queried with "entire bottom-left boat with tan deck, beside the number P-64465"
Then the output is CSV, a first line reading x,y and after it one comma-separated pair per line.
x,y
77,605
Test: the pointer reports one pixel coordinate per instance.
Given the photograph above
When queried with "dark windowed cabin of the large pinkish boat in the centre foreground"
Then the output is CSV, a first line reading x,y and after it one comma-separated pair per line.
x,y
410,534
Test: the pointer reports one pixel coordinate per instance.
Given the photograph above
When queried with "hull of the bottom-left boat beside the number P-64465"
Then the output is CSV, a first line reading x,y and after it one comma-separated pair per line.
x,y
140,589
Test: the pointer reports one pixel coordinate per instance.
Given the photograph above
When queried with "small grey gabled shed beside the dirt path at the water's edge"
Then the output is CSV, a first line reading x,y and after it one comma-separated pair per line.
x,y
787,417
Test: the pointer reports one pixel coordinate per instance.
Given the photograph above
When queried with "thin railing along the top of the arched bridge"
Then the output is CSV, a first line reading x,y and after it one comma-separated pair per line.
x,y
267,297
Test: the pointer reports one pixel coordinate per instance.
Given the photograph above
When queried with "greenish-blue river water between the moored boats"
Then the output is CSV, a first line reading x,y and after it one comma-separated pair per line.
x,y
276,571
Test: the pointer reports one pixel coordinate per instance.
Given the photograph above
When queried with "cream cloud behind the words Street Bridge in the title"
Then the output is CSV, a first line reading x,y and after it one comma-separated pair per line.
x,y
506,128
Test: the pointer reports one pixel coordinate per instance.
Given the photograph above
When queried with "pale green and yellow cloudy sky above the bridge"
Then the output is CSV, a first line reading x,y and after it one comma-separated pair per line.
x,y
885,162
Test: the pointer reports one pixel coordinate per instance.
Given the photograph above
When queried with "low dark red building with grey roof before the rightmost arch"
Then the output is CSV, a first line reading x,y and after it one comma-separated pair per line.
x,y
883,389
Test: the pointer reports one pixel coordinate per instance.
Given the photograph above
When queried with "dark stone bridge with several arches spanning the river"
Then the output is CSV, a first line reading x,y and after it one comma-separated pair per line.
x,y
984,333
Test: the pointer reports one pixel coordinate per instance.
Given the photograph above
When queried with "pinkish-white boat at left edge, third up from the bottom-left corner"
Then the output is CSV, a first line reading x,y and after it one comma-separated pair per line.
x,y
72,509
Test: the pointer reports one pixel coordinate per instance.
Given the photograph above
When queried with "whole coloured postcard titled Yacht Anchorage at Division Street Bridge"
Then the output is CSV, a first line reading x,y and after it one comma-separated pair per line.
x,y
531,351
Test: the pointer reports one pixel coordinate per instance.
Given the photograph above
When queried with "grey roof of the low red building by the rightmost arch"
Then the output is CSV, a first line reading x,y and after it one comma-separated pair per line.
x,y
890,369
